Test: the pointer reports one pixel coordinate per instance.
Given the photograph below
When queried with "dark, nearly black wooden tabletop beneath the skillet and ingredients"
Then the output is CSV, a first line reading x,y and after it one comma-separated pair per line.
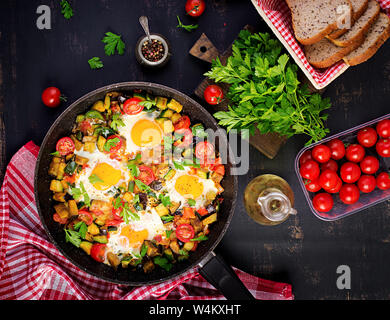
x,y
303,251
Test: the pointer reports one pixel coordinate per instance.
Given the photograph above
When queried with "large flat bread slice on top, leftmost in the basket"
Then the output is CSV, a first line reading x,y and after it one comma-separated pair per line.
x,y
314,19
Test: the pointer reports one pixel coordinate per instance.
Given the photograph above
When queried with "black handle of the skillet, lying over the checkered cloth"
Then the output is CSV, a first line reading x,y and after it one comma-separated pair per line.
x,y
216,271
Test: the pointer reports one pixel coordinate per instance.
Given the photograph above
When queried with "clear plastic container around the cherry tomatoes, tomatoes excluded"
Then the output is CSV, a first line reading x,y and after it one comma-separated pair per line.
x,y
366,200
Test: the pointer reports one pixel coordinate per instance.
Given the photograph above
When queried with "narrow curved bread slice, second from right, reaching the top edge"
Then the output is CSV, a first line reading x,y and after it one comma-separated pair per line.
x,y
361,26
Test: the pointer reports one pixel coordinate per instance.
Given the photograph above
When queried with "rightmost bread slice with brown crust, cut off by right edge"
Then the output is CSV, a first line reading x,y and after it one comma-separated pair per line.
x,y
376,37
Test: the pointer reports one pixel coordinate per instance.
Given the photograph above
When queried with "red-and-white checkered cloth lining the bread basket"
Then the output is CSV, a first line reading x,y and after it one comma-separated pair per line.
x,y
278,13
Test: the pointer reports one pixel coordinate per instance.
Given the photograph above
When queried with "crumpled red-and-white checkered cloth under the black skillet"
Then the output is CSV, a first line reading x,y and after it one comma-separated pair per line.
x,y
32,268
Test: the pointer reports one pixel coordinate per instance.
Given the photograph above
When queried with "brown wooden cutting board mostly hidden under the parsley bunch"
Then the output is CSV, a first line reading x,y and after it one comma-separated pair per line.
x,y
268,144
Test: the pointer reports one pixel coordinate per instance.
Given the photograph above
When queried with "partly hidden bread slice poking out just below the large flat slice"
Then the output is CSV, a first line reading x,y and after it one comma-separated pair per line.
x,y
324,53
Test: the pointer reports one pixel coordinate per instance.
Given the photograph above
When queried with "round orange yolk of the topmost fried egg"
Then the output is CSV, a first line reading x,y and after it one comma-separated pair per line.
x,y
146,133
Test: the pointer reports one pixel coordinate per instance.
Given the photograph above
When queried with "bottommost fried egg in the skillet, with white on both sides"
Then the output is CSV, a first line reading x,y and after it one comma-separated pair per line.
x,y
128,239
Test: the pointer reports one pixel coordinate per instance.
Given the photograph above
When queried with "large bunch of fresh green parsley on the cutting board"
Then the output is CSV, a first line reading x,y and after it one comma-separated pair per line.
x,y
265,93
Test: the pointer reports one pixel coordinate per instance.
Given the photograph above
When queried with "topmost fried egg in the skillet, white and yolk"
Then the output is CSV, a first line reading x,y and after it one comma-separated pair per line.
x,y
141,131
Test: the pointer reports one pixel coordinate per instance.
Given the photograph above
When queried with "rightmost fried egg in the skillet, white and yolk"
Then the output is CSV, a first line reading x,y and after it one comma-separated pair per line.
x,y
184,186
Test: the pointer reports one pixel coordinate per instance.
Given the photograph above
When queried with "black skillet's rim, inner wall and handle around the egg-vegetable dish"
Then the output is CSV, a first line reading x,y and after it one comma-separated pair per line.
x,y
211,266
